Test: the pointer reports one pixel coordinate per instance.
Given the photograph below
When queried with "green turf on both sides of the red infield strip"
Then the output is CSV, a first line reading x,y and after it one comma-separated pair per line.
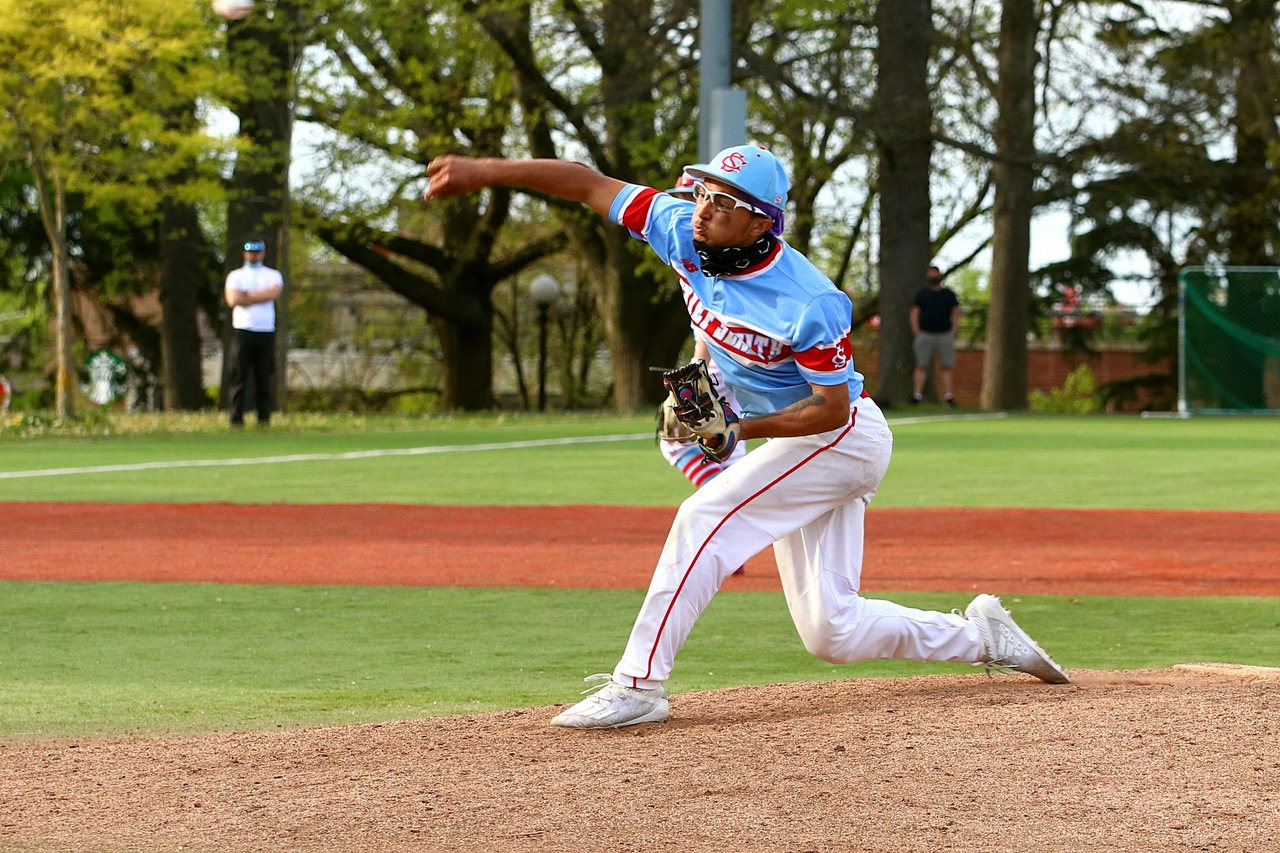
x,y
115,658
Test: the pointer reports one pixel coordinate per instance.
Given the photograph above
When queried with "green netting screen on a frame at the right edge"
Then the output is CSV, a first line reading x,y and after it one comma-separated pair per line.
x,y
1229,340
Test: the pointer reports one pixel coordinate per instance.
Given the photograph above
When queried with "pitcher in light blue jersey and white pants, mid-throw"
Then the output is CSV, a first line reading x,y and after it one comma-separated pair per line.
x,y
779,330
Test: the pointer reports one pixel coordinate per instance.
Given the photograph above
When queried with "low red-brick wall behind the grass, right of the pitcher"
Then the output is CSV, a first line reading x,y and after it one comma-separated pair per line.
x,y
1048,367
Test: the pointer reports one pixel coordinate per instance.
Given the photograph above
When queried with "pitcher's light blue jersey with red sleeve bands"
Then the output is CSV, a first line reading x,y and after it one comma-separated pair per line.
x,y
772,330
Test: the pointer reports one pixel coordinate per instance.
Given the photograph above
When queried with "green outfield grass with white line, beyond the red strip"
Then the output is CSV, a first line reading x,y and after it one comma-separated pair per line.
x,y
1032,462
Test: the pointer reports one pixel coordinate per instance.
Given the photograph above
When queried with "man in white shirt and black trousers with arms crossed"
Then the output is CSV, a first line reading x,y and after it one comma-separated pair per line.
x,y
252,293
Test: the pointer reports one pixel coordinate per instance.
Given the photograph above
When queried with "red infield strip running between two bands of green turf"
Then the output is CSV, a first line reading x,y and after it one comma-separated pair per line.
x,y
940,550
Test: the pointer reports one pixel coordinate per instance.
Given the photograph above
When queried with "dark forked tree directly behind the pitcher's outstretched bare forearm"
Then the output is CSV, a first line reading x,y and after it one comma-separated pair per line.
x,y
391,102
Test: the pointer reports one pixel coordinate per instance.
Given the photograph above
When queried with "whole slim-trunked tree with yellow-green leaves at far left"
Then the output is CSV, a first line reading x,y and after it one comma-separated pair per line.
x,y
79,97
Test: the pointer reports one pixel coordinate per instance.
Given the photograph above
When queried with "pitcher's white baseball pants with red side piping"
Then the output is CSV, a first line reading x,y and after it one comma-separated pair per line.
x,y
807,496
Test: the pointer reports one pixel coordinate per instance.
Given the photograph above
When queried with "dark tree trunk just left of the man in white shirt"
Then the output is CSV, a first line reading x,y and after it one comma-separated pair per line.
x,y
182,279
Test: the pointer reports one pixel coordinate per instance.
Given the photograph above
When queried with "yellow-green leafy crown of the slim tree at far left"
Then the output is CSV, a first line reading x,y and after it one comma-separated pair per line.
x,y
90,86
